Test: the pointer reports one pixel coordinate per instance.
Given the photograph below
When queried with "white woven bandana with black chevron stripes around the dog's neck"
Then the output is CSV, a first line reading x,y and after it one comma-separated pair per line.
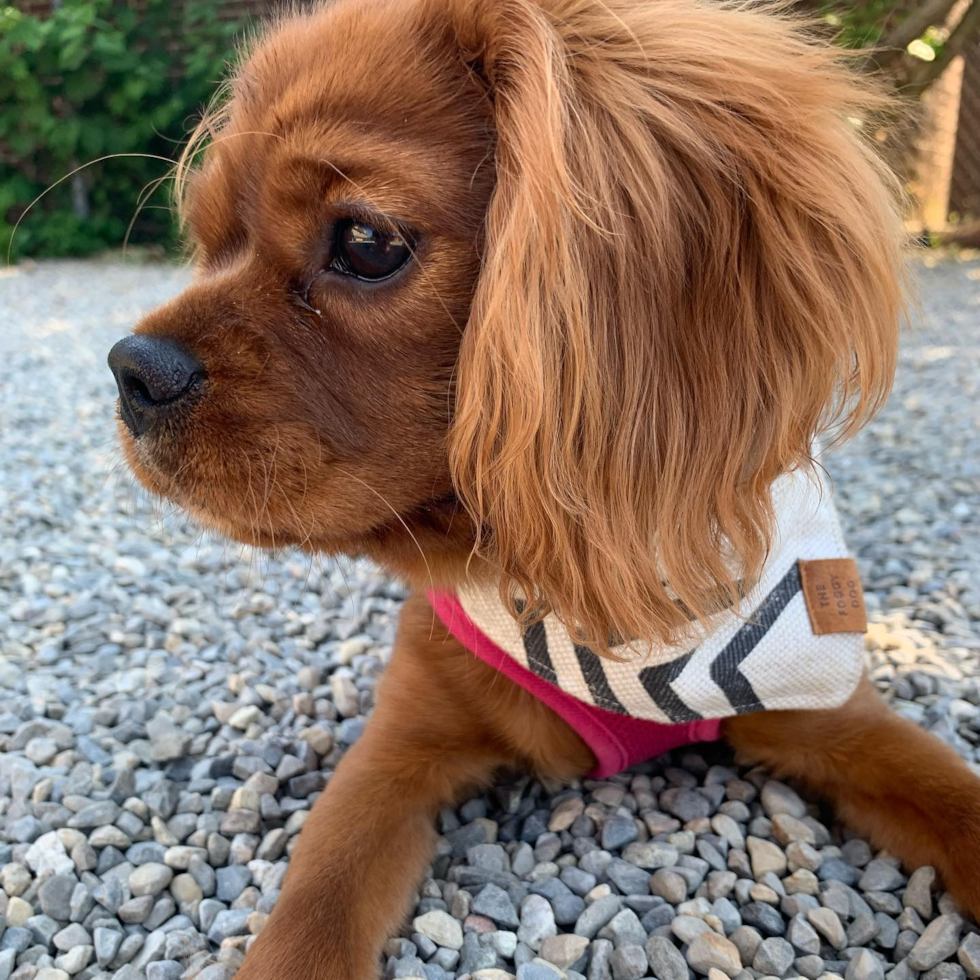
x,y
763,655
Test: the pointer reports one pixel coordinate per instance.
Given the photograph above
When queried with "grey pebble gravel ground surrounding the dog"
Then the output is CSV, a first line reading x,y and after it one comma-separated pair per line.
x,y
173,705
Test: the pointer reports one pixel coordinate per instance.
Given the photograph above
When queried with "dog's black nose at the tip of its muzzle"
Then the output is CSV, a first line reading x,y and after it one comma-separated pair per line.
x,y
155,376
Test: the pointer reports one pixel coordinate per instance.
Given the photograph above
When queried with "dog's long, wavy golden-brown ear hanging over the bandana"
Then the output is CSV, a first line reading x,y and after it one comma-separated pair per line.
x,y
692,270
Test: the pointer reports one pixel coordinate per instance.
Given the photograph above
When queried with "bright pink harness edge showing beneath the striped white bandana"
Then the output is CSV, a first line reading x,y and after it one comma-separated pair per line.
x,y
616,741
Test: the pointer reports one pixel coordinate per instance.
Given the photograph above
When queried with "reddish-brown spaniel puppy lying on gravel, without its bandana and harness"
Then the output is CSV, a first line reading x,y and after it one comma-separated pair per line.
x,y
541,298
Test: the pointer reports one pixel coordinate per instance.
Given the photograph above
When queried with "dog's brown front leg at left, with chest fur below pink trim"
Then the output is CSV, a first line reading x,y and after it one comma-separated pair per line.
x,y
437,730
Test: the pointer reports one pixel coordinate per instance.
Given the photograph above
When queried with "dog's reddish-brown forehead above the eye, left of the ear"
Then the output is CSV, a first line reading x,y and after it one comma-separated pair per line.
x,y
372,93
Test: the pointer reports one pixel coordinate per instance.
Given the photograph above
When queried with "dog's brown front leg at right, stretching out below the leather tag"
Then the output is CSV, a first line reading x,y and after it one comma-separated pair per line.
x,y
889,780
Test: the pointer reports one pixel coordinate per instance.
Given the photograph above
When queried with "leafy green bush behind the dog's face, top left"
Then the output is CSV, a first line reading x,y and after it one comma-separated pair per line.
x,y
96,78
